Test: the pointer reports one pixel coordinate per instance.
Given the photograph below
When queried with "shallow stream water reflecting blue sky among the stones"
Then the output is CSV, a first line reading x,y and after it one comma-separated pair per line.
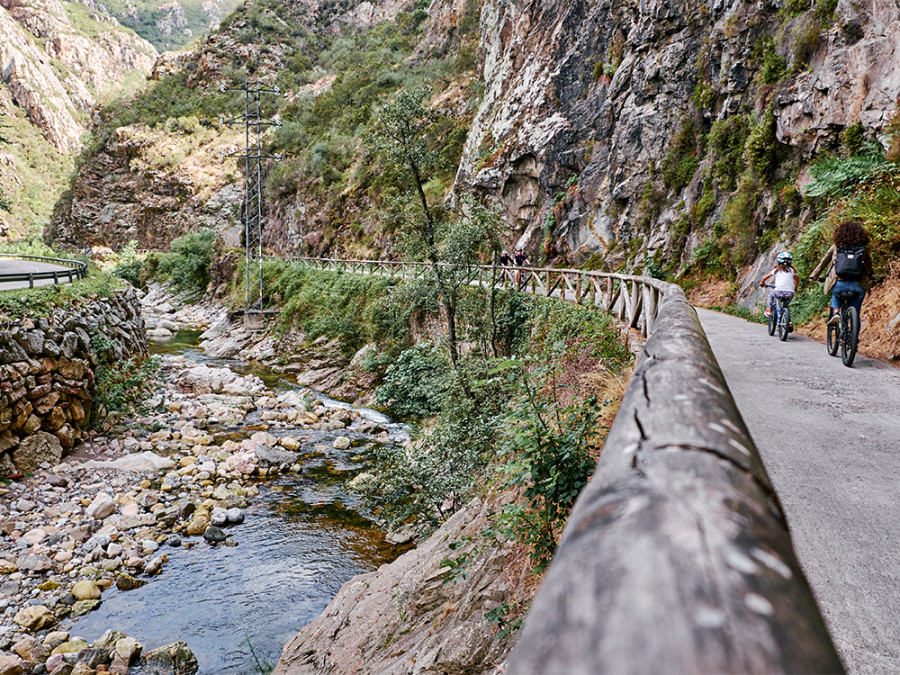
x,y
303,537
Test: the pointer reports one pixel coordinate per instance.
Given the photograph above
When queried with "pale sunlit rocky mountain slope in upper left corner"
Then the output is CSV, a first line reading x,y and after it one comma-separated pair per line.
x,y
57,59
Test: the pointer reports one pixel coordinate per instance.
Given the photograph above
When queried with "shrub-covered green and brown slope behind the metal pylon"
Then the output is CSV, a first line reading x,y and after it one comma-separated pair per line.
x,y
333,63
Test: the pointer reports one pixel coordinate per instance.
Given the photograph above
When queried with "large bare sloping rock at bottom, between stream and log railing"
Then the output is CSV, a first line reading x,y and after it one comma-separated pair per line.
x,y
412,616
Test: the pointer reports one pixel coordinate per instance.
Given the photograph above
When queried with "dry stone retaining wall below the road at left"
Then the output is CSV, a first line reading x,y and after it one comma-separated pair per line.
x,y
47,374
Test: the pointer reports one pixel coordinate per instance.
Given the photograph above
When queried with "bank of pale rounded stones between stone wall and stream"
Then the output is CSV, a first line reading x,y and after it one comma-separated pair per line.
x,y
114,511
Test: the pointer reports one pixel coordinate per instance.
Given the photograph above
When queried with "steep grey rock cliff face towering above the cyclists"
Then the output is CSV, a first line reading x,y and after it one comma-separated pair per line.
x,y
583,102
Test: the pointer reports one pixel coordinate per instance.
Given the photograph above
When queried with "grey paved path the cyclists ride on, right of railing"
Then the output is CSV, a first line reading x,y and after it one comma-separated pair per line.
x,y
830,440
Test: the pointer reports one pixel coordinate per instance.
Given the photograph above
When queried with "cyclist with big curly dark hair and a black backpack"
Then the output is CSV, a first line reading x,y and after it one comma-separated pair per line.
x,y
851,266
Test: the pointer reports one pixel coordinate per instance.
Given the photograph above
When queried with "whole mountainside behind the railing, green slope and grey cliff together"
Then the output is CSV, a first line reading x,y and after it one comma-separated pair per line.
x,y
677,137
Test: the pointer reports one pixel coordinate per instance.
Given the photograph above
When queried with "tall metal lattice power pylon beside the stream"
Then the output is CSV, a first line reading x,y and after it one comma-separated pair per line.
x,y
254,127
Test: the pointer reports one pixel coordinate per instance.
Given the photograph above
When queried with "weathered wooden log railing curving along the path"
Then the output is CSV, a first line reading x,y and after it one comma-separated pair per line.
x,y
677,556
